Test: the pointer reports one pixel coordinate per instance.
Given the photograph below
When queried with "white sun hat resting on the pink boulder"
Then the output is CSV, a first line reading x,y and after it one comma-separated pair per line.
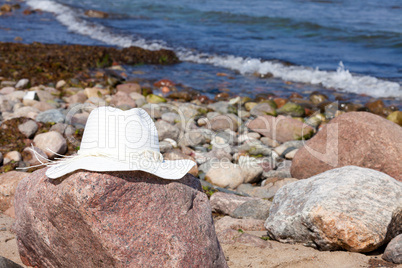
x,y
116,140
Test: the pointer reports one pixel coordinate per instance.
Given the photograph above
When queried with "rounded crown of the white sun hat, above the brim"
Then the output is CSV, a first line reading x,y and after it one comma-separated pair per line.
x,y
119,133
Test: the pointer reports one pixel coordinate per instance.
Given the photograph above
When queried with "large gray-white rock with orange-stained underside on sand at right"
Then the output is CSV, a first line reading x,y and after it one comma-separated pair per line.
x,y
345,208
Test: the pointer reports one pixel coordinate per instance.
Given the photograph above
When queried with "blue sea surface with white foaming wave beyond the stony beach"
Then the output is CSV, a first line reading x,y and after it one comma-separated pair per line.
x,y
264,46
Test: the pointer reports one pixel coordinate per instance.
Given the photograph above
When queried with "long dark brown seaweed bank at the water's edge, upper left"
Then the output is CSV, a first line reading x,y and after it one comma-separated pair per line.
x,y
45,63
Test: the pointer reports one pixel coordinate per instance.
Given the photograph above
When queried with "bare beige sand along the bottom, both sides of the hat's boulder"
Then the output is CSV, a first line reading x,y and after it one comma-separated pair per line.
x,y
239,255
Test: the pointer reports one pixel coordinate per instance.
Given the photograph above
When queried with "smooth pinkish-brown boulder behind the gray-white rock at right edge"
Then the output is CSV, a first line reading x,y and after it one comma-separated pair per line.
x,y
356,138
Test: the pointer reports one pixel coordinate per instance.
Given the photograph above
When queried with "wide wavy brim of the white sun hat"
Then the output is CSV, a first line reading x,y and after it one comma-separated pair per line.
x,y
168,169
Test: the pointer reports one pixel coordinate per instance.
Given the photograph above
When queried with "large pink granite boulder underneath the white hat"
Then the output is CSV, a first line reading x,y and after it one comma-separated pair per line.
x,y
115,219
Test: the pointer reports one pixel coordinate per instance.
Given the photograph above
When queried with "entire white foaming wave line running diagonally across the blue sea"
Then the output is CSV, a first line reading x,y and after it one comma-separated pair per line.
x,y
341,79
